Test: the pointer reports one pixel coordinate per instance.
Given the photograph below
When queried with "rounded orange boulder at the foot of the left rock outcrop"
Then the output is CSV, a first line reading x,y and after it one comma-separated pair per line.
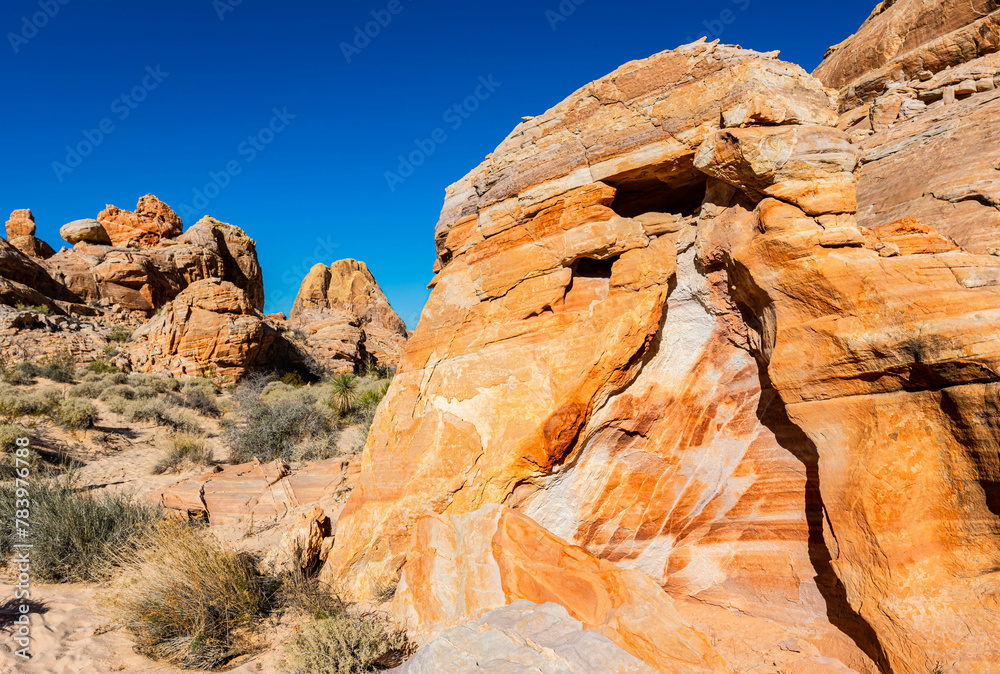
x,y
209,330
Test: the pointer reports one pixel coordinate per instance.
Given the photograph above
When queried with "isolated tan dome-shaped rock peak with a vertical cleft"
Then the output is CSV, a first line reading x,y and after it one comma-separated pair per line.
x,y
347,318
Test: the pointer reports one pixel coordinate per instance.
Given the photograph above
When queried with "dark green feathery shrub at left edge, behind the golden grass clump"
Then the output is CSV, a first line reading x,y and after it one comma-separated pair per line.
x,y
78,536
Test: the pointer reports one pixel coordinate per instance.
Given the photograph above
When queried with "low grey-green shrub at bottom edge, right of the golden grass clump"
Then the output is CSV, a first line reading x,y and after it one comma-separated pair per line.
x,y
347,642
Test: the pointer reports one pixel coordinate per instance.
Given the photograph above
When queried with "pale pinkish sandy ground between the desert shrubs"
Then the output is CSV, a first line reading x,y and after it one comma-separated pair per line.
x,y
72,628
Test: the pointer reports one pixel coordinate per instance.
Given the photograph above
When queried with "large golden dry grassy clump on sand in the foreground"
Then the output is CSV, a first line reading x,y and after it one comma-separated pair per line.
x,y
190,601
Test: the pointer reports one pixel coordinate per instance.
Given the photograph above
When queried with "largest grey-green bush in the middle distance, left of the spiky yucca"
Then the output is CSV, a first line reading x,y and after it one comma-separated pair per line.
x,y
270,426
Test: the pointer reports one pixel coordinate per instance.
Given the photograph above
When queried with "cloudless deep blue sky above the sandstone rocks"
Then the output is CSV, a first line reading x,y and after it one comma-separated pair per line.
x,y
261,109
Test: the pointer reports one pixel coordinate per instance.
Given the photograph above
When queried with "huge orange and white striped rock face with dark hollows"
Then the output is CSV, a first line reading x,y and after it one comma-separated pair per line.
x,y
658,330
